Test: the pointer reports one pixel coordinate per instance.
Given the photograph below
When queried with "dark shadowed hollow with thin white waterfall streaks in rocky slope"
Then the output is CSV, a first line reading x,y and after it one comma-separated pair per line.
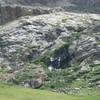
x,y
61,58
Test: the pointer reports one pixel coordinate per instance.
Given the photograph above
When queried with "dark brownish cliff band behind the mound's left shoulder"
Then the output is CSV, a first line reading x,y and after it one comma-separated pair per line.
x,y
9,12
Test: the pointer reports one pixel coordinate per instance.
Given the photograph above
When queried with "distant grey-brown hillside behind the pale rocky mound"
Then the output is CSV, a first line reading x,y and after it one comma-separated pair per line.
x,y
13,9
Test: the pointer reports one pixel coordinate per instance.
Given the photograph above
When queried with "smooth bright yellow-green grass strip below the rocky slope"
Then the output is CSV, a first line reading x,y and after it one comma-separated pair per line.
x,y
19,93
